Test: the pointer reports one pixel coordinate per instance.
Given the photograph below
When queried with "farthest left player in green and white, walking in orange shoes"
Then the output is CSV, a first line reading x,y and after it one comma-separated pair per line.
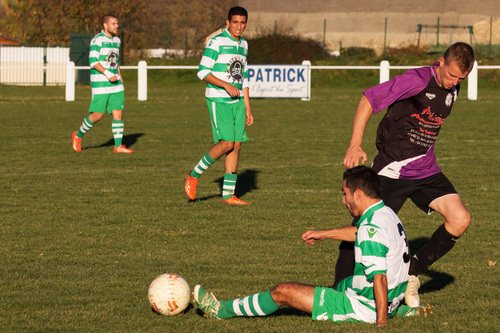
x,y
107,86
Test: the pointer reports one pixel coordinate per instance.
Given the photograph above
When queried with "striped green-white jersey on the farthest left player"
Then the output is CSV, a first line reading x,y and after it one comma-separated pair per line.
x,y
104,50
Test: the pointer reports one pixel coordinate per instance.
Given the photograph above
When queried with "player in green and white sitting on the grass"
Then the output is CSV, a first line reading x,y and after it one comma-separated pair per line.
x,y
372,294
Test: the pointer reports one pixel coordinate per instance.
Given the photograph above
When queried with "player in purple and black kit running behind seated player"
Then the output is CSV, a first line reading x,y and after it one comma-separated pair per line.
x,y
417,103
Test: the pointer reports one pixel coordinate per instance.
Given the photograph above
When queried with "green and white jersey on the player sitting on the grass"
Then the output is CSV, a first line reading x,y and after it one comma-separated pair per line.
x,y
381,247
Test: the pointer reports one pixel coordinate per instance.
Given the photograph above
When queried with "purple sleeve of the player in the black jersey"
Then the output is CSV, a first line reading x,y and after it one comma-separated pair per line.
x,y
398,88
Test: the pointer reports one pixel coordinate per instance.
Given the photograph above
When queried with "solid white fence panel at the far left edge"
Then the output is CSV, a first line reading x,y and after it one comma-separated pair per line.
x,y
33,65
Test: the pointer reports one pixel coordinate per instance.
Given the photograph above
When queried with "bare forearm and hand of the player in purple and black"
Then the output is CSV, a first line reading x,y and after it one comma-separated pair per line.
x,y
354,153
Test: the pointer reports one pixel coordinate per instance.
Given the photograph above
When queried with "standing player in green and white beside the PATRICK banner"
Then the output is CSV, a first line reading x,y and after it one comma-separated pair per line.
x,y
224,68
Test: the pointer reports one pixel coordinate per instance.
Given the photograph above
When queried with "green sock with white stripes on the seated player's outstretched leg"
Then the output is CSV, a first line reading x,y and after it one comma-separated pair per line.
x,y
256,305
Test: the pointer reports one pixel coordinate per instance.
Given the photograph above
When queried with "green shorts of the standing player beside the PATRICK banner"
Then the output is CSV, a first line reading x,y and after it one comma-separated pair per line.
x,y
228,121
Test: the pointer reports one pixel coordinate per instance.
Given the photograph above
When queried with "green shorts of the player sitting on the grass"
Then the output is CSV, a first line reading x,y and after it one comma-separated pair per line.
x,y
330,304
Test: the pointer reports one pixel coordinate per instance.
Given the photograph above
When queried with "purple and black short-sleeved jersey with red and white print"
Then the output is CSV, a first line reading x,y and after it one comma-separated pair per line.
x,y
417,107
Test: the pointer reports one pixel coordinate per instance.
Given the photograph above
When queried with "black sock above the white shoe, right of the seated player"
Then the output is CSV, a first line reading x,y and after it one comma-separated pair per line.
x,y
440,243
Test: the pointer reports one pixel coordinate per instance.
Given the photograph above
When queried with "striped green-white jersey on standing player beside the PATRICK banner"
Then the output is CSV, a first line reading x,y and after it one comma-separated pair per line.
x,y
225,58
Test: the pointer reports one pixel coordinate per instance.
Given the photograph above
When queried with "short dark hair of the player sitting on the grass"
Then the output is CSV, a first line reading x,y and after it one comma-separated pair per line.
x,y
363,178
